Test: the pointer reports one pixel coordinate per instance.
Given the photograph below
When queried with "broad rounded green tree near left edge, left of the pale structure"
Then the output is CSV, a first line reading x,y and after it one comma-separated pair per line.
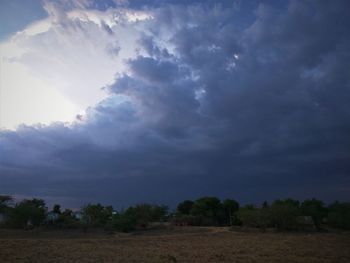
x,y
28,212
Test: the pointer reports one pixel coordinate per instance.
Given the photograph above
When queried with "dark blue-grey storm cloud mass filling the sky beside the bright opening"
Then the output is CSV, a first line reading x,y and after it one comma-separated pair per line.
x,y
252,108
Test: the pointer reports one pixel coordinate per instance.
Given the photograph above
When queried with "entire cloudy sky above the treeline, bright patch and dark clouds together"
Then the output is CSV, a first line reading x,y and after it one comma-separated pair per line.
x,y
124,102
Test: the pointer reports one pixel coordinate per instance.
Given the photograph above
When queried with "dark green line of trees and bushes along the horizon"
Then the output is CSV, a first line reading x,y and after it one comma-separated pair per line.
x,y
287,214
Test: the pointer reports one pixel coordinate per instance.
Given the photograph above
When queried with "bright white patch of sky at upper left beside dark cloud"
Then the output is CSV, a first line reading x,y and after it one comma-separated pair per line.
x,y
56,67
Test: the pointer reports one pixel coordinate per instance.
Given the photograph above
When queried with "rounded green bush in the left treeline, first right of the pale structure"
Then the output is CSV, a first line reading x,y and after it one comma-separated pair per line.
x,y
97,215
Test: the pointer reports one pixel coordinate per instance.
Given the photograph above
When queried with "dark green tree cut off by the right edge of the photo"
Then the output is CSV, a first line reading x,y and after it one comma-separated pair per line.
x,y
339,215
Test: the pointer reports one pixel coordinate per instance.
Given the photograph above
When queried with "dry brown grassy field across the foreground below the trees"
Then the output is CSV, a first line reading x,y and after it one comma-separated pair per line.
x,y
176,244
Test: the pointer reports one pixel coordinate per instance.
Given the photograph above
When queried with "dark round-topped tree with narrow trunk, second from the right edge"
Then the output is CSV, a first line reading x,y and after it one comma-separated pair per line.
x,y
315,209
